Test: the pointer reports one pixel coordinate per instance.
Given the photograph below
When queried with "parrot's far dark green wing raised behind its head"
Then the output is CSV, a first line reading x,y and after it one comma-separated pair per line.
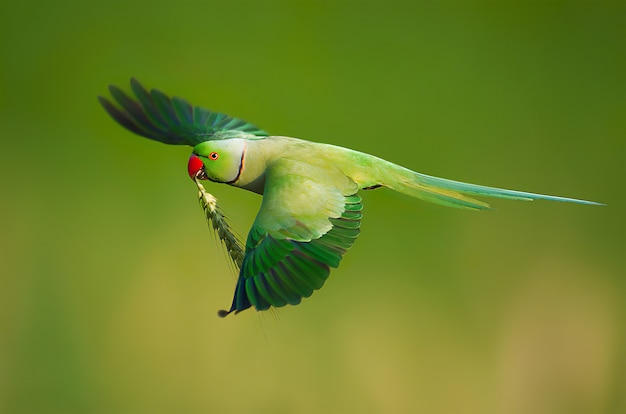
x,y
154,115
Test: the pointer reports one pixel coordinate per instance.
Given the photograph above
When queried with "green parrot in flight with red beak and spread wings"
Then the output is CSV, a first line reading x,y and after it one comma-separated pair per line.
x,y
310,212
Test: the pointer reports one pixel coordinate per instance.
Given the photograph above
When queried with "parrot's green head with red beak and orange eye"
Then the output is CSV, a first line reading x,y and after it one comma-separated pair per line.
x,y
218,160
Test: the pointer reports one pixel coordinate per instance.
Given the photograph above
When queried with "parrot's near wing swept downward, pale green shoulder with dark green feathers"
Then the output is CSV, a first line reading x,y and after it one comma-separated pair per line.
x,y
303,228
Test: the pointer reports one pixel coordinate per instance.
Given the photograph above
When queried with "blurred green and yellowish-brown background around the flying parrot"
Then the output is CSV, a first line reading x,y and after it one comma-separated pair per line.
x,y
110,280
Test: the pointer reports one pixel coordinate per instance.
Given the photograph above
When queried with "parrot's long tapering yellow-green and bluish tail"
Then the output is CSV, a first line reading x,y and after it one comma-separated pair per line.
x,y
455,193
